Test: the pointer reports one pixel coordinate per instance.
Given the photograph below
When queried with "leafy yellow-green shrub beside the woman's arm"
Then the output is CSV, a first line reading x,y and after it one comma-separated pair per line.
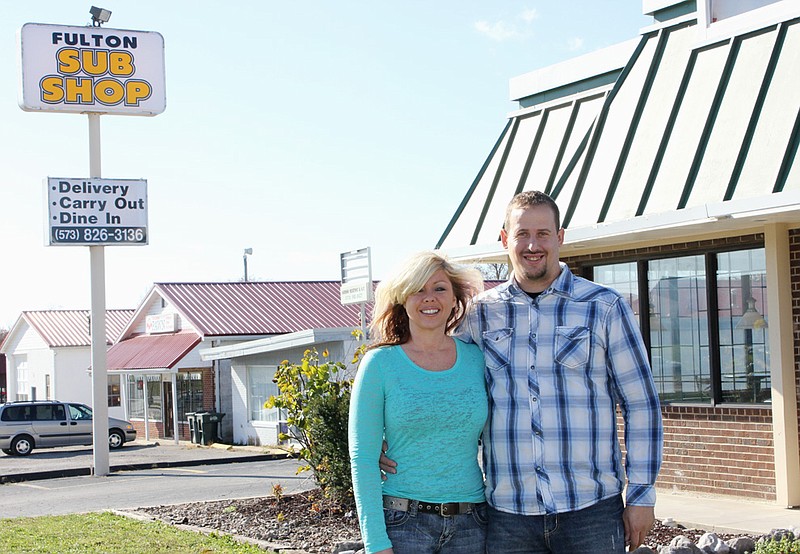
x,y
315,395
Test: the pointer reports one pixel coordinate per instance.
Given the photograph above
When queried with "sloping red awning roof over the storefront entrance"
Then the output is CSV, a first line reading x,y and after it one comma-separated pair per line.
x,y
151,351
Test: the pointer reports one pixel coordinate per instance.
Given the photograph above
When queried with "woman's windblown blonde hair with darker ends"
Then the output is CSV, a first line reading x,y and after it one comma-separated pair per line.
x,y
390,321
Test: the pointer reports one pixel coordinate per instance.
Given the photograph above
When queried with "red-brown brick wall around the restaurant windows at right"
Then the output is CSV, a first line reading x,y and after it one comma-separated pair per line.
x,y
713,449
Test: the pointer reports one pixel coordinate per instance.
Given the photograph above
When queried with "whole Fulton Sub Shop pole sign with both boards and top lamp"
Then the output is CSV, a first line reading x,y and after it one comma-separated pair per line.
x,y
94,71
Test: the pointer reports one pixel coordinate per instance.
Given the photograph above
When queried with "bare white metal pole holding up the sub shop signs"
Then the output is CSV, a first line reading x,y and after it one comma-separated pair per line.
x,y
98,324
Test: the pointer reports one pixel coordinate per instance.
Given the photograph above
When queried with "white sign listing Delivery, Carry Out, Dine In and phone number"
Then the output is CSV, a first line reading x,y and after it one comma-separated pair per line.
x,y
96,211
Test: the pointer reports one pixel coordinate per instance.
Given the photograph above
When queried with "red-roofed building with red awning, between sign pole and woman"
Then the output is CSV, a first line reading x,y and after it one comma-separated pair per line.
x,y
214,347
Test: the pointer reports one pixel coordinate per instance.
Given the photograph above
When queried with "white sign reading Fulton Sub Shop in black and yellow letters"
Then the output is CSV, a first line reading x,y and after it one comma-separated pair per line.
x,y
91,69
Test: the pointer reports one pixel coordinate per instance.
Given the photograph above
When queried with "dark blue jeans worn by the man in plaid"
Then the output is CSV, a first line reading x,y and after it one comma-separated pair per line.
x,y
598,528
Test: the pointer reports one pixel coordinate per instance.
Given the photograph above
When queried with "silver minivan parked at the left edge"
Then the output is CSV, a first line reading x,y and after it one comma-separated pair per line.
x,y
26,425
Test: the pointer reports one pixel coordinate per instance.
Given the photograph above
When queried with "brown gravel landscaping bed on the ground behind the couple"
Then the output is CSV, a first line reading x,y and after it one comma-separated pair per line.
x,y
309,522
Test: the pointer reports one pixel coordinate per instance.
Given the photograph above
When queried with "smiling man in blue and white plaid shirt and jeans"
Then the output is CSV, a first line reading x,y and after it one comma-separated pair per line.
x,y
561,354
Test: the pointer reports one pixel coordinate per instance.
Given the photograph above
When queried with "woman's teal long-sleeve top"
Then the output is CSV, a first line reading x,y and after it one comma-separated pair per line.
x,y
432,421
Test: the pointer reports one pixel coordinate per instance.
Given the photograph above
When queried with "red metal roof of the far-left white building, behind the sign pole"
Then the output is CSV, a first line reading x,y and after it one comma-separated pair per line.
x,y
71,327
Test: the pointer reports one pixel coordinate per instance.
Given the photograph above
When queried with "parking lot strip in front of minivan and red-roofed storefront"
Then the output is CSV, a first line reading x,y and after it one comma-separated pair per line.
x,y
50,463
